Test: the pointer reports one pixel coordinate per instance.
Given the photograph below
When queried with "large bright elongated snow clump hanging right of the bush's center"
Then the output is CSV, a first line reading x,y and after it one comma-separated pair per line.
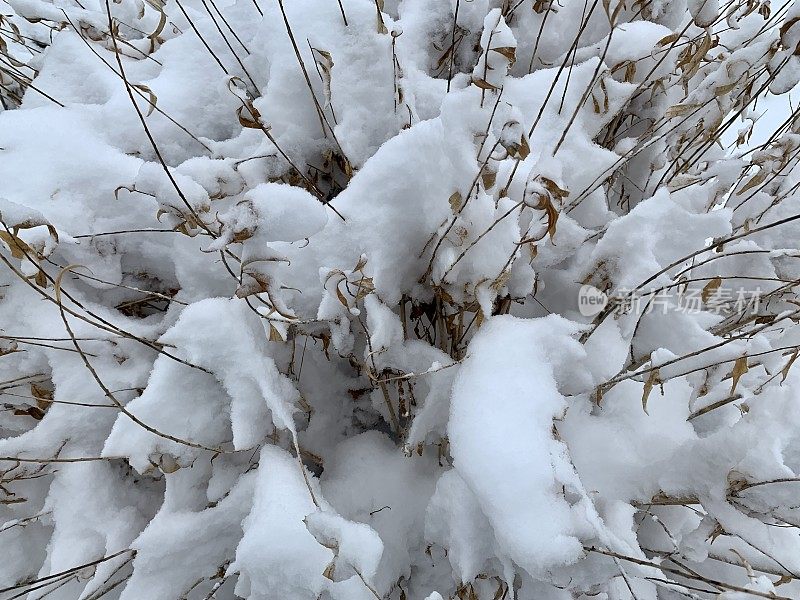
x,y
500,429
